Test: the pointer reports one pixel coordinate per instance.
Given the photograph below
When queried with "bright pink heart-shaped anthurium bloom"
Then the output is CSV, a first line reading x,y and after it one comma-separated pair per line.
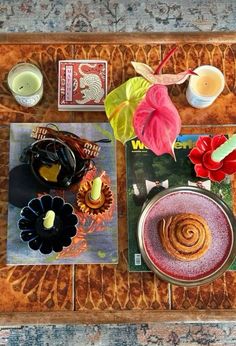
x,y
156,121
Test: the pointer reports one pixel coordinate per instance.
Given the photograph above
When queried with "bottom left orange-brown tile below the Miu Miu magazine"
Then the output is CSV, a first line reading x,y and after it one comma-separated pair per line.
x,y
36,288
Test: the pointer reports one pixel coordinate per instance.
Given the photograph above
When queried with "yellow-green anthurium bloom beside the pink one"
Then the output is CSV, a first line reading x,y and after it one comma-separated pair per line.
x,y
120,105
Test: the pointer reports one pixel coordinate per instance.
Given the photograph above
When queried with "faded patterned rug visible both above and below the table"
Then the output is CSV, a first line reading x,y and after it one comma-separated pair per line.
x,y
125,16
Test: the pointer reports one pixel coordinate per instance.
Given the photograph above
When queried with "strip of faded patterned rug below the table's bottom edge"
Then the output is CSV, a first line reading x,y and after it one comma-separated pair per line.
x,y
121,335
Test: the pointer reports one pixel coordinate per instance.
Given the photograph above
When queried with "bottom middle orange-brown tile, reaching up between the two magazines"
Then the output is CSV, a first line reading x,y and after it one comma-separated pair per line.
x,y
112,287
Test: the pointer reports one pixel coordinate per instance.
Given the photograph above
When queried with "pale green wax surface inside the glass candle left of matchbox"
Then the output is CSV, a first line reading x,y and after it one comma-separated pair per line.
x,y
26,83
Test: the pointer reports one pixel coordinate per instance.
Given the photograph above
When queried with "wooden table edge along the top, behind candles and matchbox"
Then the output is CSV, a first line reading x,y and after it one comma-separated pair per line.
x,y
116,38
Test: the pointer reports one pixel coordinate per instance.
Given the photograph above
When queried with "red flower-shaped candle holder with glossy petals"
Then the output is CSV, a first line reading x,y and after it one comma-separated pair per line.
x,y
205,167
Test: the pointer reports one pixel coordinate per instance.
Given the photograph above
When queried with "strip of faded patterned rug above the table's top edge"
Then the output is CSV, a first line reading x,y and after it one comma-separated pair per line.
x,y
117,15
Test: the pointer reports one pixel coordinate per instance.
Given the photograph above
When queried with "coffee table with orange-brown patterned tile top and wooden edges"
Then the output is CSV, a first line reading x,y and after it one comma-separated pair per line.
x,y
109,293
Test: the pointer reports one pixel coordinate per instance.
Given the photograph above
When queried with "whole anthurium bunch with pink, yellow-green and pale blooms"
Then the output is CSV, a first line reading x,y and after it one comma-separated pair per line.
x,y
155,120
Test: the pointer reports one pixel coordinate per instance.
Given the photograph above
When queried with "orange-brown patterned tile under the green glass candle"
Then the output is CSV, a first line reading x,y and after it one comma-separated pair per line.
x,y
46,58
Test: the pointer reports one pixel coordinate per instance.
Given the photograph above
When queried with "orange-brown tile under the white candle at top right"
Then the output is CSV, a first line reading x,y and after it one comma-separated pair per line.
x,y
187,56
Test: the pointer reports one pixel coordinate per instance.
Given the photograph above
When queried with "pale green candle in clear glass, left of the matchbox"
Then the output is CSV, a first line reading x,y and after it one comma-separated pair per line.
x,y
25,81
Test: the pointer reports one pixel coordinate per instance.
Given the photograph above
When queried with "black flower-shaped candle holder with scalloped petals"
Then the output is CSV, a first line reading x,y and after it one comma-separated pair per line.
x,y
55,238
